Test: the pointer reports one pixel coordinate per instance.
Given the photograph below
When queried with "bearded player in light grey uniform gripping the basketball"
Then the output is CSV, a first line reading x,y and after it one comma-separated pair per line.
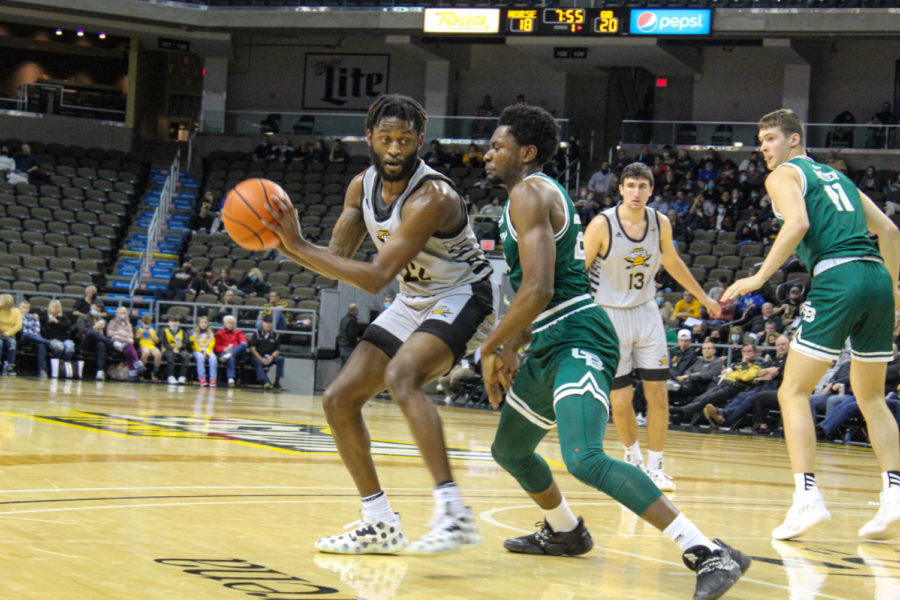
x,y
446,307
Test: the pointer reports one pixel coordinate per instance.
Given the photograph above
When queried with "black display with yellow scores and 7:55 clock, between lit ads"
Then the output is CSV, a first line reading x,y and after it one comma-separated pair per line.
x,y
566,21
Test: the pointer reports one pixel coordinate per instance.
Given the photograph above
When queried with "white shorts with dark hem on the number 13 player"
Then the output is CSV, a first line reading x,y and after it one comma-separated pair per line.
x,y
642,343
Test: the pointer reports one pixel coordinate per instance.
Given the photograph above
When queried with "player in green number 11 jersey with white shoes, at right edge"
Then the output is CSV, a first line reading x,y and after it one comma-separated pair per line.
x,y
853,295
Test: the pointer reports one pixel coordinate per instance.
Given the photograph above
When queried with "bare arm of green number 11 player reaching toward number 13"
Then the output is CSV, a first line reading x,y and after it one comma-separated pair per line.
x,y
785,189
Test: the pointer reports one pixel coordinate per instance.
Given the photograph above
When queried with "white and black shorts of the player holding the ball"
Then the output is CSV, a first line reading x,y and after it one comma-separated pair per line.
x,y
462,318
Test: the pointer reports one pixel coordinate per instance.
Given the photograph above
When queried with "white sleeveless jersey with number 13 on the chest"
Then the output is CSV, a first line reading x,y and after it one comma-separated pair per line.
x,y
624,277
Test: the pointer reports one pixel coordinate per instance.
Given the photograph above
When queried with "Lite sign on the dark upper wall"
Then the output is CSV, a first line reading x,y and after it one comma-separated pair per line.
x,y
346,82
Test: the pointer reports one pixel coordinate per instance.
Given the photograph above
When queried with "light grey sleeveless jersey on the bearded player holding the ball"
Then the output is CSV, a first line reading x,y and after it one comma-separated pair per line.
x,y
447,261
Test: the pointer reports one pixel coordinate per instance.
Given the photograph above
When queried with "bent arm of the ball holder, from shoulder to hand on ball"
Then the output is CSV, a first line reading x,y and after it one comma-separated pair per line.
x,y
431,210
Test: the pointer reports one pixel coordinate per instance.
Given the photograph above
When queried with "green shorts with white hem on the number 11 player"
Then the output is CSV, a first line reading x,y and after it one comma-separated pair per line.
x,y
851,300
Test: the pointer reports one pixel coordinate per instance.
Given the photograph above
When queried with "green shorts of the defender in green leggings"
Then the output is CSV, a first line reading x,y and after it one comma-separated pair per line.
x,y
574,353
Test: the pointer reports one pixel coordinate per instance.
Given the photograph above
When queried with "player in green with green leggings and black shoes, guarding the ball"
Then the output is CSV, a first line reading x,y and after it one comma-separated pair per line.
x,y
565,381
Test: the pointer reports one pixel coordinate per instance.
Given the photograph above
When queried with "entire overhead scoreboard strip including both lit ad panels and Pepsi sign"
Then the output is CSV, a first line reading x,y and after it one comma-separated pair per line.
x,y
566,22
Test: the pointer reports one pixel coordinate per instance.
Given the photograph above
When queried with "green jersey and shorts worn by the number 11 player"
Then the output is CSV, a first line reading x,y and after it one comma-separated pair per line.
x,y
851,289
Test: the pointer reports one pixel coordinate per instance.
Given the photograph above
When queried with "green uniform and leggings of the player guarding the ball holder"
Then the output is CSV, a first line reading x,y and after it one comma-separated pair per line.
x,y
566,379
